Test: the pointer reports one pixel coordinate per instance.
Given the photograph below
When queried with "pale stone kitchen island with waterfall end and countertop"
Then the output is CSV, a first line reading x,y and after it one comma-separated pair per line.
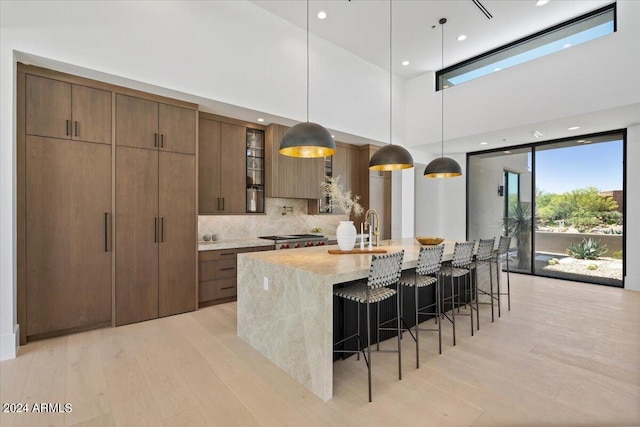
x,y
285,305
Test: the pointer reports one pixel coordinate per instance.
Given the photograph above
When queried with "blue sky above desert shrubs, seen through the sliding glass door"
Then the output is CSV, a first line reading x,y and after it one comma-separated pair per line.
x,y
588,165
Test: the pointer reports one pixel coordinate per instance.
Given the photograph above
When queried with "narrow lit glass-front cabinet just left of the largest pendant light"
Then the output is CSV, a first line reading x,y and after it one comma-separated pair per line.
x,y
255,171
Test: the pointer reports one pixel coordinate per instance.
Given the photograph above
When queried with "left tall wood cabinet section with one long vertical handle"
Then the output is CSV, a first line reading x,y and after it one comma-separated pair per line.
x,y
64,175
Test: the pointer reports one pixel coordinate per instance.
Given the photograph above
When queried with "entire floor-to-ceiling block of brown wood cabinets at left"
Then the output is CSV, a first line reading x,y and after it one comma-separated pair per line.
x,y
106,183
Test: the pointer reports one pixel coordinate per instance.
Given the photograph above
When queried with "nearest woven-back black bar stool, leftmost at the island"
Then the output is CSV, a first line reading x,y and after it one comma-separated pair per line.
x,y
385,271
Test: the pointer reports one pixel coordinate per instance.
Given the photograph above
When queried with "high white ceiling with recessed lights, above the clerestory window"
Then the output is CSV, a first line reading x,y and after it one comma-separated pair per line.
x,y
362,26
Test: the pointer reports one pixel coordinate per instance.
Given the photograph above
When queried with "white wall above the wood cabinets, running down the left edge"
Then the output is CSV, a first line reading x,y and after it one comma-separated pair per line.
x,y
229,51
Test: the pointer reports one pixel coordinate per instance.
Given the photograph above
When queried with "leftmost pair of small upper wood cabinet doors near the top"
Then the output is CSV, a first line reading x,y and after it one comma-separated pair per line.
x,y
59,109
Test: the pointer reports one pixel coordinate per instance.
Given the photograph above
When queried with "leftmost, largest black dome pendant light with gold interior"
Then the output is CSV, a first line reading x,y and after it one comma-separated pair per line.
x,y
307,139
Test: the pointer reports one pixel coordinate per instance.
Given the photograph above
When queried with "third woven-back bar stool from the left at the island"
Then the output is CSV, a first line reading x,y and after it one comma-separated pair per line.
x,y
459,267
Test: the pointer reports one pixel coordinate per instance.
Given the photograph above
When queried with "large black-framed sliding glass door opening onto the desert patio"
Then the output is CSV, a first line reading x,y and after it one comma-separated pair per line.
x,y
562,202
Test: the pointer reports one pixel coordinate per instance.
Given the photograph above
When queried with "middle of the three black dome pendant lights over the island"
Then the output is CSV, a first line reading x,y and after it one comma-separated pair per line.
x,y
391,157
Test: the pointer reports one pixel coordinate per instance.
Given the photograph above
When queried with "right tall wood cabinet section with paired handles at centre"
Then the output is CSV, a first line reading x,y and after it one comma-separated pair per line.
x,y
156,220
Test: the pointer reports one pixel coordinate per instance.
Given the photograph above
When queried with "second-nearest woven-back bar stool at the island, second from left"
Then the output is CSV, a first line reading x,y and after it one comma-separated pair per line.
x,y
429,262
